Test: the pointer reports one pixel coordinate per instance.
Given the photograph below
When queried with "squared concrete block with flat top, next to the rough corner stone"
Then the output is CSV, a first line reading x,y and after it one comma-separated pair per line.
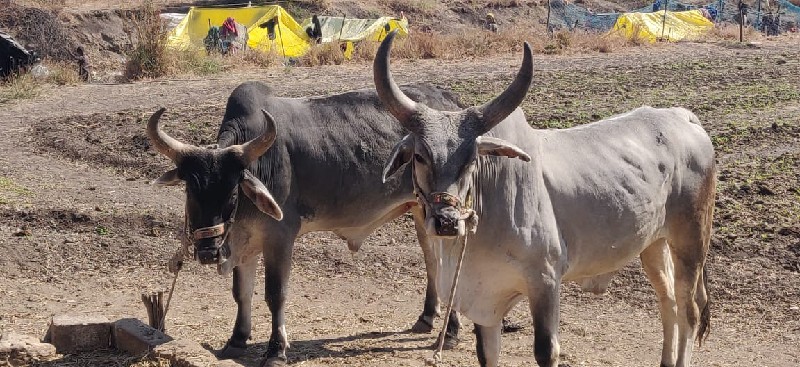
x,y
79,333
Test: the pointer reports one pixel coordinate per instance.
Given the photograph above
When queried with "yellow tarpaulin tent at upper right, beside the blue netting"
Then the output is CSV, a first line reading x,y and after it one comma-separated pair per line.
x,y
678,25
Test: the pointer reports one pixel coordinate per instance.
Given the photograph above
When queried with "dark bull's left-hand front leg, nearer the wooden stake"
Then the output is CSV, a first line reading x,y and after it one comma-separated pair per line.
x,y
243,284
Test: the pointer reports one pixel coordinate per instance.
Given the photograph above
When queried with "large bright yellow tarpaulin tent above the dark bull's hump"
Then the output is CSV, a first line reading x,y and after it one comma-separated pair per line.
x,y
288,37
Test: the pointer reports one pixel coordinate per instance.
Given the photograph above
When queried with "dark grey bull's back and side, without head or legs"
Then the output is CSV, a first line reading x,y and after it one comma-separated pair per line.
x,y
327,159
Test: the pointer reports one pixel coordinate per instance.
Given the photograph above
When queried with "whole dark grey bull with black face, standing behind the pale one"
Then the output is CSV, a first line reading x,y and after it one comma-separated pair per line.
x,y
322,172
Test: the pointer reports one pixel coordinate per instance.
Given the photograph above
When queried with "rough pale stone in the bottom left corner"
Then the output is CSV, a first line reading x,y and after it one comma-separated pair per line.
x,y
23,350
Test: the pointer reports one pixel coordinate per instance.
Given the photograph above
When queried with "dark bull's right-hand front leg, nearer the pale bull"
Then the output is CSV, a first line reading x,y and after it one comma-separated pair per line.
x,y
278,265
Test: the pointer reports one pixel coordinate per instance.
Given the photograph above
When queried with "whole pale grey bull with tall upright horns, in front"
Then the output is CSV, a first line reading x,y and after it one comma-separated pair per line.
x,y
578,205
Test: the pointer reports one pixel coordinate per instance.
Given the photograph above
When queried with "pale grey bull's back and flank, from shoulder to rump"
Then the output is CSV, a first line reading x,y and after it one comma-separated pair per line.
x,y
614,183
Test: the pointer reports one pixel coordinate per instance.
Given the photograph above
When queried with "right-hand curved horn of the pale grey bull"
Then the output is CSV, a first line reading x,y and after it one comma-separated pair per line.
x,y
503,105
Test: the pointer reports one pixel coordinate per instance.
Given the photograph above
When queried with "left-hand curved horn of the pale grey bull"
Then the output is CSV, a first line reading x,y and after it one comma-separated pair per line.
x,y
395,100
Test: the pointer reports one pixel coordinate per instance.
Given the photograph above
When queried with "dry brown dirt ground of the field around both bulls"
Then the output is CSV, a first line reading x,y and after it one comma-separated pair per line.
x,y
81,231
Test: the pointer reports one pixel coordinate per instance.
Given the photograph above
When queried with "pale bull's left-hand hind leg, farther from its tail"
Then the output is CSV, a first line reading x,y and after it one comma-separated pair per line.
x,y
657,264
